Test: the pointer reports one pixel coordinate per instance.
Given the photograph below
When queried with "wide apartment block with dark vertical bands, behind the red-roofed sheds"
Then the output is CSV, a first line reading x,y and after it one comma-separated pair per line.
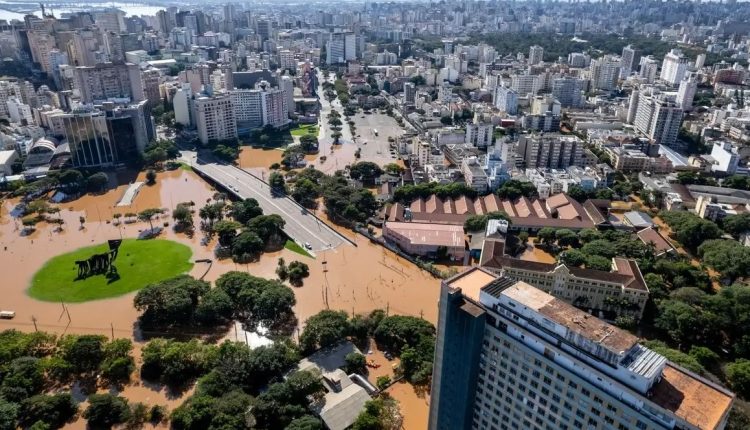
x,y
550,150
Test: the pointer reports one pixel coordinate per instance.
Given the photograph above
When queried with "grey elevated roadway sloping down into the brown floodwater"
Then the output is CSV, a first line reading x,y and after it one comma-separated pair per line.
x,y
301,225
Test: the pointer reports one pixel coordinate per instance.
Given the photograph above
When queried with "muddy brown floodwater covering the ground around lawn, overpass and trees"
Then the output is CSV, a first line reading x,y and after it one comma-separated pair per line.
x,y
356,279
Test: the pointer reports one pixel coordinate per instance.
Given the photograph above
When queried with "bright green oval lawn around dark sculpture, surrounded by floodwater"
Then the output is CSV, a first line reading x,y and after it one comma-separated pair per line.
x,y
139,262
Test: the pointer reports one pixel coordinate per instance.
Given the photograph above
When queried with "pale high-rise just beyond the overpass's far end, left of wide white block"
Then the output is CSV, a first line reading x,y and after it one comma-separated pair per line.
x,y
214,118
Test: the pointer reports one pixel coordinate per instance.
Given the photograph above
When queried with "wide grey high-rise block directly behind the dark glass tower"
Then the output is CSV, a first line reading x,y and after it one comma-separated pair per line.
x,y
109,81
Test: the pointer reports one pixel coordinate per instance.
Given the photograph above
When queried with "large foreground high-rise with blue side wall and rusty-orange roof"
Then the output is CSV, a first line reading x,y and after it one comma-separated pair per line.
x,y
509,356
